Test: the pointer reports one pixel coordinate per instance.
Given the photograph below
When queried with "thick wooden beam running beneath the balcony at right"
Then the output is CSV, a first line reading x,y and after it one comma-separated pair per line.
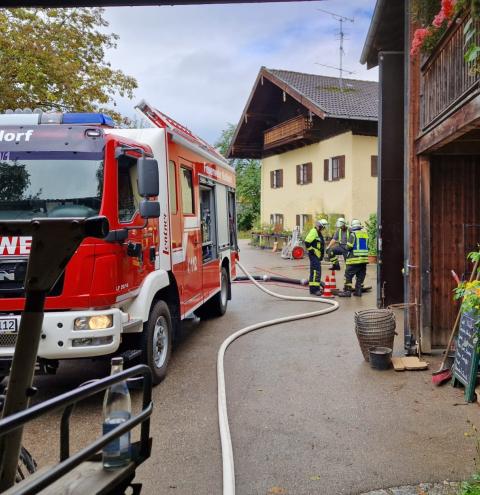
x,y
465,119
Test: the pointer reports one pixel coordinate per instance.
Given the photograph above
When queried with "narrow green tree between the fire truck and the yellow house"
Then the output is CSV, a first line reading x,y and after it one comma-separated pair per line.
x,y
248,182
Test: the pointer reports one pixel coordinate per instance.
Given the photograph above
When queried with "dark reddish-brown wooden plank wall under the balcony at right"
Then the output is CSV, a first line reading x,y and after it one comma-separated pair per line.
x,y
455,202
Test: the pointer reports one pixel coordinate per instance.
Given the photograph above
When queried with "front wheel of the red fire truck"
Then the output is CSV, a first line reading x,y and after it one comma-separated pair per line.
x,y
157,341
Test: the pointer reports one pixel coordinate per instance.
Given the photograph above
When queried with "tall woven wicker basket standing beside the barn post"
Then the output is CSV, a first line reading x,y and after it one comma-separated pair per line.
x,y
374,327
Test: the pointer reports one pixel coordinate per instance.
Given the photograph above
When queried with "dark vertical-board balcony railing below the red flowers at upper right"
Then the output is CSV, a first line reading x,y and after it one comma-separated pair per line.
x,y
448,81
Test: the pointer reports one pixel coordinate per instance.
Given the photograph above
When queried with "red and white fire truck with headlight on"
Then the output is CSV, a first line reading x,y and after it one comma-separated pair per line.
x,y
170,201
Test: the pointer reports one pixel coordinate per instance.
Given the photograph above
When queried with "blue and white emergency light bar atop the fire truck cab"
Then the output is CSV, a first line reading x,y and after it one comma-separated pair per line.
x,y
38,117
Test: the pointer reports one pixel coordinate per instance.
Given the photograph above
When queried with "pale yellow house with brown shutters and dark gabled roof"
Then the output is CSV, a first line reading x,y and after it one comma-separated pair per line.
x,y
317,139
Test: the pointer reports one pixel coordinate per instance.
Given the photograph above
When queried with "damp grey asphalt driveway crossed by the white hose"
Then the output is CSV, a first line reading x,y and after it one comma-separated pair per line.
x,y
308,415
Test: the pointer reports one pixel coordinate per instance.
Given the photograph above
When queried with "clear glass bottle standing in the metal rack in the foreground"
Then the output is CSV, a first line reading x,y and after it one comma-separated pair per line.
x,y
116,410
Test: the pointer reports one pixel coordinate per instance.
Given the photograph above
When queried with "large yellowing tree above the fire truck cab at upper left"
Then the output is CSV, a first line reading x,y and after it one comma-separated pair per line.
x,y
56,58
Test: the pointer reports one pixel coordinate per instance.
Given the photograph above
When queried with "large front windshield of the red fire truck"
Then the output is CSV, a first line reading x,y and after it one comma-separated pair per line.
x,y
34,185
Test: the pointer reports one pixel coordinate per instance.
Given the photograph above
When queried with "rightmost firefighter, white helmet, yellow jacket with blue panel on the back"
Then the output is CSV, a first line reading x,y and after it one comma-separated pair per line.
x,y
357,258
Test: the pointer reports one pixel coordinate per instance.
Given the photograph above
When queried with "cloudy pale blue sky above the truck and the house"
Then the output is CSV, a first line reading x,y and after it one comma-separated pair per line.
x,y
198,63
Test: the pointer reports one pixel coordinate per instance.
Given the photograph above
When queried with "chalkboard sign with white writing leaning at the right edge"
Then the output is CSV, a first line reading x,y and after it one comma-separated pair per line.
x,y
465,367
